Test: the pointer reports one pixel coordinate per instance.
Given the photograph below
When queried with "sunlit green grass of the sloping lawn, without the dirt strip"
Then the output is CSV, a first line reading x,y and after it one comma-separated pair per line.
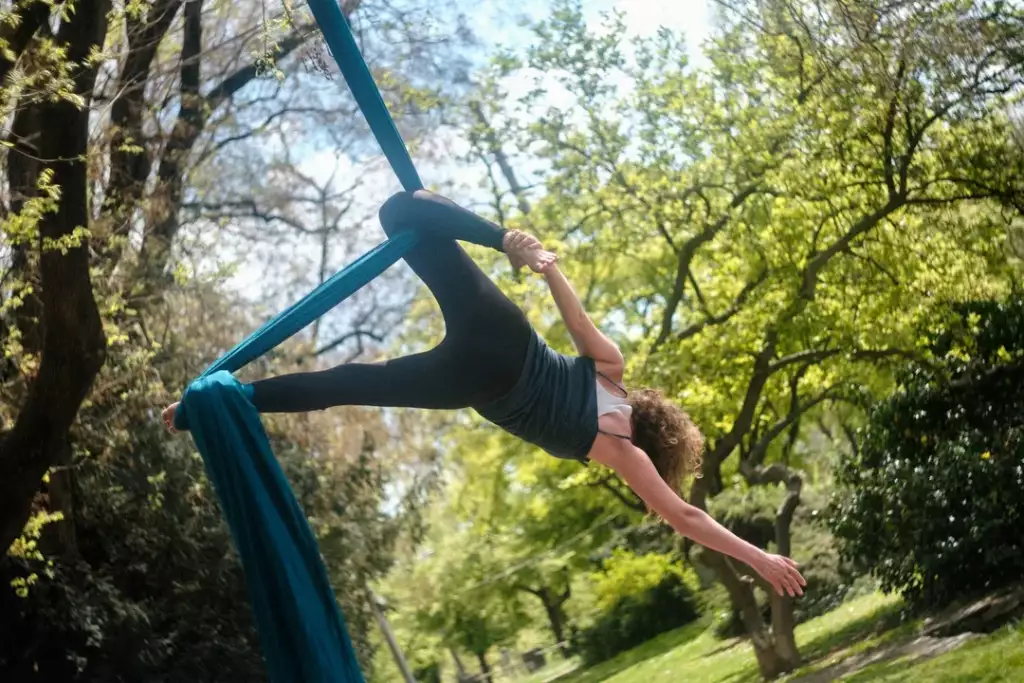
x,y
863,626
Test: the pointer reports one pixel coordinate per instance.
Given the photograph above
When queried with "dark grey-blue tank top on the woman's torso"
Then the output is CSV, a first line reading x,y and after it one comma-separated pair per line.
x,y
554,404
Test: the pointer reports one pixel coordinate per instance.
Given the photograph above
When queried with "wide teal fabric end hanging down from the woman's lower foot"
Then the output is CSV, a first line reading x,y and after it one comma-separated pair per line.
x,y
302,629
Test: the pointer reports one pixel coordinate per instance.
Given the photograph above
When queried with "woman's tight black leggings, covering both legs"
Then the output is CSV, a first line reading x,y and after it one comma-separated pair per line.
x,y
487,336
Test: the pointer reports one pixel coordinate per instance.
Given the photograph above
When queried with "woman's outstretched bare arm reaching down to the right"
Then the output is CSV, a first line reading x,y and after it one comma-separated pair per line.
x,y
636,469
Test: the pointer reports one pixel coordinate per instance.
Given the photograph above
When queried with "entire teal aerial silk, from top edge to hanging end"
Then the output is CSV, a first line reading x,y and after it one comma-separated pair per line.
x,y
302,629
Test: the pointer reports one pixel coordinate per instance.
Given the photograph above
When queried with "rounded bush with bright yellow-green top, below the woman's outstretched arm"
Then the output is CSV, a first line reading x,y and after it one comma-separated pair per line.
x,y
660,600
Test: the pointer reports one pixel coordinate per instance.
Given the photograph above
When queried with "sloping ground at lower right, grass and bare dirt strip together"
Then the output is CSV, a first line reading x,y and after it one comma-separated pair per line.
x,y
864,642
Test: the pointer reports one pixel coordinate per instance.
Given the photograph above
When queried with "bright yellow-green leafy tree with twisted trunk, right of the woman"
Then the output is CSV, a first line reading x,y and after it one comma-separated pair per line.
x,y
772,234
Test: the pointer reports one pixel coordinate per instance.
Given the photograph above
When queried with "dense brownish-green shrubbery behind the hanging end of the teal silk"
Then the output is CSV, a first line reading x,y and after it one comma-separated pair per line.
x,y
146,585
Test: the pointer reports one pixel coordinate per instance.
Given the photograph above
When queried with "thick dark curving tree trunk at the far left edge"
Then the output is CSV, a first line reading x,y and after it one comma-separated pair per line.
x,y
48,228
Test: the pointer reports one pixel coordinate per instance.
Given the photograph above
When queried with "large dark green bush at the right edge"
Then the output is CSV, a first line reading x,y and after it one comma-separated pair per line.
x,y
933,503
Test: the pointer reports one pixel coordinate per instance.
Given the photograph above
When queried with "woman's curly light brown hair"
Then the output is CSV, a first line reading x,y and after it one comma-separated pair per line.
x,y
668,436
